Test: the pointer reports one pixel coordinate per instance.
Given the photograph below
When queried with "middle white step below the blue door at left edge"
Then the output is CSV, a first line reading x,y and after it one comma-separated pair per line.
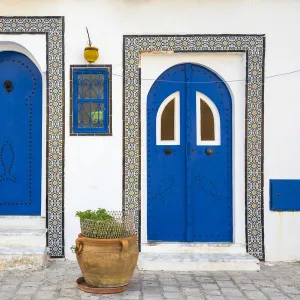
x,y
17,238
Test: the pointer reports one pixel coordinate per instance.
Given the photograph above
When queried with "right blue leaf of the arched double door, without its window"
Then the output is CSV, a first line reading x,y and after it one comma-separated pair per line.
x,y
211,175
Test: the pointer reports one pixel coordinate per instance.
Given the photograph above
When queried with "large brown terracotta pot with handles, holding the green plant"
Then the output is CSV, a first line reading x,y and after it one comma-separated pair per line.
x,y
107,263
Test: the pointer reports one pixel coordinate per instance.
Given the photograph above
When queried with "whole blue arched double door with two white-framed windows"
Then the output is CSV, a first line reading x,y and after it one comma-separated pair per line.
x,y
189,156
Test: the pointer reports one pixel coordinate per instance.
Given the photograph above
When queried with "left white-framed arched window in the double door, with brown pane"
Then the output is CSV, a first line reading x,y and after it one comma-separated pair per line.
x,y
168,121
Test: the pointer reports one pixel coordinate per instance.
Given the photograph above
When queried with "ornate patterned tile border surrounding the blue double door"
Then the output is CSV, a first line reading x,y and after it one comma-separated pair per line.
x,y
254,48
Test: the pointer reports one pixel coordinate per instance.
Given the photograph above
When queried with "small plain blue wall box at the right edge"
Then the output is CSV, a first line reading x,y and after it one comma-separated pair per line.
x,y
285,195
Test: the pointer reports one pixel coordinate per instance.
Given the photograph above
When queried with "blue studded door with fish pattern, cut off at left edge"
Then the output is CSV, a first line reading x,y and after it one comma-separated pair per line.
x,y
21,135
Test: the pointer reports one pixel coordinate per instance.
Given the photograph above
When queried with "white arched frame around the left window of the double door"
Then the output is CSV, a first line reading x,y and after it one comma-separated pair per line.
x,y
176,97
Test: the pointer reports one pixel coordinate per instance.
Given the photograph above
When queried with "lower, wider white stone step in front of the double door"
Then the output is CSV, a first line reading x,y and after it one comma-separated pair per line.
x,y
197,262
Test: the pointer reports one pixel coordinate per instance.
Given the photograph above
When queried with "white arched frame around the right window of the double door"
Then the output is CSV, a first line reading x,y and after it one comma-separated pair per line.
x,y
216,116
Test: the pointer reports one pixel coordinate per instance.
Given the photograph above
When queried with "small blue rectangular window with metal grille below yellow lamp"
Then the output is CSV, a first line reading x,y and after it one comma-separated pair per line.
x,y
91,100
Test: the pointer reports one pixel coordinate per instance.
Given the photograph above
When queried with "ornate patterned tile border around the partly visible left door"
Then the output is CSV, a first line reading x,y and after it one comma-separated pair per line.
x,y
53,28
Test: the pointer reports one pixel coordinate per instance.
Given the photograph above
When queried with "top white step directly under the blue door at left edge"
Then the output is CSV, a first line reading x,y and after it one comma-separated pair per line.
x,y
22,222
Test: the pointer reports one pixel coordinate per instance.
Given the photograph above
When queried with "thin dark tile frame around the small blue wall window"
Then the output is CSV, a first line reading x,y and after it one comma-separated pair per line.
x,y
89,66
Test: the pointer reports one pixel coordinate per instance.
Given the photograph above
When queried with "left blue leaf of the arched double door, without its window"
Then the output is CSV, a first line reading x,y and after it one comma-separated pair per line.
x,y
166,172
